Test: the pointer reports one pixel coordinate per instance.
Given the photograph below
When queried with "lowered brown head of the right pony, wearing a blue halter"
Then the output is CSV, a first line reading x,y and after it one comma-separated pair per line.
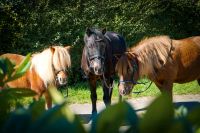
x,y
127,70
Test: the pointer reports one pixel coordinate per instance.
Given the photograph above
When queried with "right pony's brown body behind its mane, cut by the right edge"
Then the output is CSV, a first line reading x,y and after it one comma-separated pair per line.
x,y
188,55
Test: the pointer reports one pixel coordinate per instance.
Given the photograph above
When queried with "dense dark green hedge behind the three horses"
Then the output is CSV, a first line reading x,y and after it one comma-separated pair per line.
x,y
32,25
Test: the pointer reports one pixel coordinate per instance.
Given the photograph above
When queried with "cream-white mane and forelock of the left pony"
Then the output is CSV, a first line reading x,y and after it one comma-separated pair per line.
x,y
45,62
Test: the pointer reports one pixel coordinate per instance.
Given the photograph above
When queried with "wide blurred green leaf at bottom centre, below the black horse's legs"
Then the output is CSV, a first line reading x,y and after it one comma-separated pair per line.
x,y
110,119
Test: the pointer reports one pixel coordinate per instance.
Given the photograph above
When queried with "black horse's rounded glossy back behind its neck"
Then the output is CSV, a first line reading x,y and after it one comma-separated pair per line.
x,y
117,42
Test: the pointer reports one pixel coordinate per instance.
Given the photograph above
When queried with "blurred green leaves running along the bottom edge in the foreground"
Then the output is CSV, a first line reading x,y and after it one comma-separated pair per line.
x,y
159,117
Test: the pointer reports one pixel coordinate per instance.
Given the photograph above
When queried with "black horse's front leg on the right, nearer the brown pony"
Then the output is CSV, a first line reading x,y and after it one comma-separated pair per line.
x,y
107,91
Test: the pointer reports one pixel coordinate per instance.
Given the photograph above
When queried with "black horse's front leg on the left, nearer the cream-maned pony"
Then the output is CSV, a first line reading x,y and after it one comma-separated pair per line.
x,y
93,95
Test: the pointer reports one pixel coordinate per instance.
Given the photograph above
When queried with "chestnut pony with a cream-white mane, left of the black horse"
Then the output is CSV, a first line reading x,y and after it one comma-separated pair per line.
x,y
48,69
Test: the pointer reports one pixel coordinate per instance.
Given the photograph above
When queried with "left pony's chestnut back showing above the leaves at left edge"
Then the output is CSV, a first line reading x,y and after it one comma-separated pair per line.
x,y
15,58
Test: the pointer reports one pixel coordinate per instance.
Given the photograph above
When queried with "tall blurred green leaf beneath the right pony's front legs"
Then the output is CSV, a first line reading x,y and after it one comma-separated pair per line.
x,y
159,116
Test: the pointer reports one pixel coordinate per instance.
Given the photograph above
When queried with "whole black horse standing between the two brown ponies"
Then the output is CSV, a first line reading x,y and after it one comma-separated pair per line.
x,y
99,57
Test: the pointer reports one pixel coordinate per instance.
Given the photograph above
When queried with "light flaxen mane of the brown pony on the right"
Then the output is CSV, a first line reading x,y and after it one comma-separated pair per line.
x,y
152,53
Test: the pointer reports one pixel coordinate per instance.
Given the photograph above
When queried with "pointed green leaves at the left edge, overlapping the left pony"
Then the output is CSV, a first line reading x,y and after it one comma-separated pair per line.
x,y
10,97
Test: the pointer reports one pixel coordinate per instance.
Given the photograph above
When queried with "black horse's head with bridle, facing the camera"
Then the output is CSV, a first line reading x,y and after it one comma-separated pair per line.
x,y
95,43
